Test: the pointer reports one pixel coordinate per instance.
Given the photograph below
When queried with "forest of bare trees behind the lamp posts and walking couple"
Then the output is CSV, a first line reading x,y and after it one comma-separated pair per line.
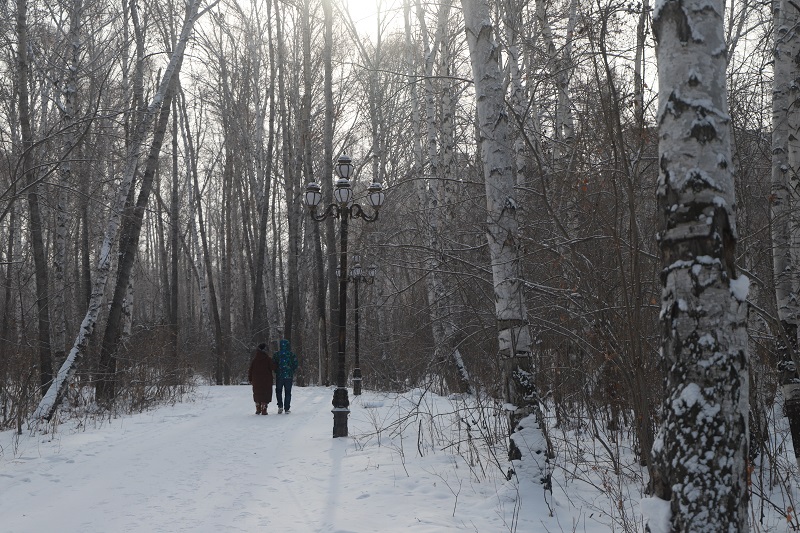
x,y
154,163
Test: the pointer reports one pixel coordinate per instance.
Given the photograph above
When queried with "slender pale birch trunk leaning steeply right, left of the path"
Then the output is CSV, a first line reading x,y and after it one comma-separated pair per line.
x,y
52,397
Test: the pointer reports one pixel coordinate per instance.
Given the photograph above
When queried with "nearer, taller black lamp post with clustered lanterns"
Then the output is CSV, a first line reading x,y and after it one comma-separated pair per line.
x,y
343,208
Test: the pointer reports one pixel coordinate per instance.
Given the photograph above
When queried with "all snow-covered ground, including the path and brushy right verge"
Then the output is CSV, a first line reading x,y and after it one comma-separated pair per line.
x,y
413,462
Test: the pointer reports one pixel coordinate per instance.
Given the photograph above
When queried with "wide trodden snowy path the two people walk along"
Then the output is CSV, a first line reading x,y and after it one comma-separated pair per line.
x,y
211,465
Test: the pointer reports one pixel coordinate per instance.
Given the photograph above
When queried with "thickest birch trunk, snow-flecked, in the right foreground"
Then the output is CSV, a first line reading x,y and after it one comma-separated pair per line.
x,y
700,453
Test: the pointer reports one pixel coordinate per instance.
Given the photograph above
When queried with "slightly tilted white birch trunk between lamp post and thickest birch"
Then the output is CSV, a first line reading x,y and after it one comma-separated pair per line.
x,y
514,340
